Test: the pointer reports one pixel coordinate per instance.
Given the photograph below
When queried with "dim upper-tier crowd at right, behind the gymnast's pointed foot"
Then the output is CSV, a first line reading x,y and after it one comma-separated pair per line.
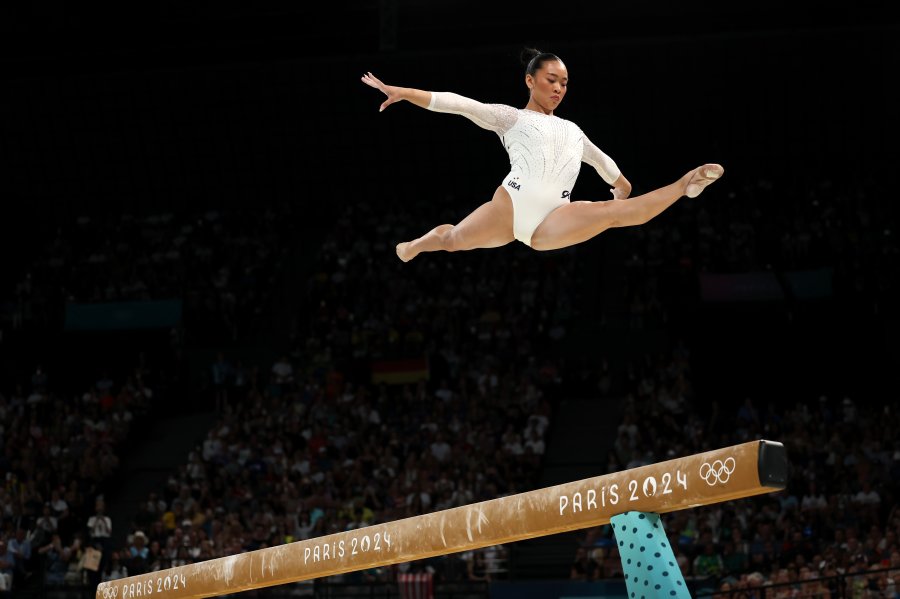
x,y
779,224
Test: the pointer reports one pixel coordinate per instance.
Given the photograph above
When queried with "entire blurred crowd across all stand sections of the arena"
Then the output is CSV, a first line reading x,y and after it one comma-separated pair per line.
x,y
319,440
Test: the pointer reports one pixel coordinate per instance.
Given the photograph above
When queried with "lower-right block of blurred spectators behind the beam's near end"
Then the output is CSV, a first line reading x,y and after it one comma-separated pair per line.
x,y
838,515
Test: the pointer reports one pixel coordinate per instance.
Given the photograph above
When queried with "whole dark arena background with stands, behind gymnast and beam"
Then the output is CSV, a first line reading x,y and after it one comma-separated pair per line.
x,y
208,346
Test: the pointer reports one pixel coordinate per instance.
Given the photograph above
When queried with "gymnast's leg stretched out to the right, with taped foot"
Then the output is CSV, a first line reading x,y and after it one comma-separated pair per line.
x,y
579,221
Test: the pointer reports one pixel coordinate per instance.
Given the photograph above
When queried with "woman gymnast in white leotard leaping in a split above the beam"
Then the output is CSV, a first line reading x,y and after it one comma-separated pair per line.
x,y
533,203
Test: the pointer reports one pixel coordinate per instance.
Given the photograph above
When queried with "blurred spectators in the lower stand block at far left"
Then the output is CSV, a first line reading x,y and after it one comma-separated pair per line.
x,y
61,451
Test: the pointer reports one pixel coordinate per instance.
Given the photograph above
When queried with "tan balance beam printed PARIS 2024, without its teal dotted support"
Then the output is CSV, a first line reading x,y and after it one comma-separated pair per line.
x,y
744,470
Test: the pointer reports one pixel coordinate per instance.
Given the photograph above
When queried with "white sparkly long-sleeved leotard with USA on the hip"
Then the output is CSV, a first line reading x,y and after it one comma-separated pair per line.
x,y
545,156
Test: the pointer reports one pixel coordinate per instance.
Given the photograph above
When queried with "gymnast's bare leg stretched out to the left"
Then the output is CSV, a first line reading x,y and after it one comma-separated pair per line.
x,y
489,226
